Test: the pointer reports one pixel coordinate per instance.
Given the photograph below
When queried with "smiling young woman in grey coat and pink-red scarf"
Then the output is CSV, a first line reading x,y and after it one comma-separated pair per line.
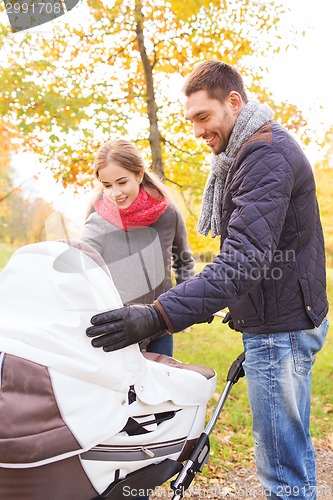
x,y
138,231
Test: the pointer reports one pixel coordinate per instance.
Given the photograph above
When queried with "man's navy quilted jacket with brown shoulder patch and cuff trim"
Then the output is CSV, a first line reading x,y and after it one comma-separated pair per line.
x,y
271,268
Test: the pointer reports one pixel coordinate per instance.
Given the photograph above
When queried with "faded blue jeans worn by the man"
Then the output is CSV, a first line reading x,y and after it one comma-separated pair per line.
x,y
278,369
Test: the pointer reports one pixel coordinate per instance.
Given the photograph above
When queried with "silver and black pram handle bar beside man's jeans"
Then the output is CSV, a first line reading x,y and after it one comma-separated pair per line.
x,y
200,453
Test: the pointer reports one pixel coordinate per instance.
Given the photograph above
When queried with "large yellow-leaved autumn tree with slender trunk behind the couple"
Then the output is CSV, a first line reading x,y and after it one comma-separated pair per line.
x,y
119,73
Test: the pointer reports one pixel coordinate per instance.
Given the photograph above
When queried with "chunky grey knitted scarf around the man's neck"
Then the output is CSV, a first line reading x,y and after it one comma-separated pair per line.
x,y
253,116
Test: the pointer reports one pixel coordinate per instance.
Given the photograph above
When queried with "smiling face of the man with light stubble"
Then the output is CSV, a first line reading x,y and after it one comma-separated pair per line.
x,y
213,120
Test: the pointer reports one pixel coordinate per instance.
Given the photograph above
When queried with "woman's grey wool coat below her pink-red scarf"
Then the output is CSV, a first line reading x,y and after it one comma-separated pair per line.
x,y
141,261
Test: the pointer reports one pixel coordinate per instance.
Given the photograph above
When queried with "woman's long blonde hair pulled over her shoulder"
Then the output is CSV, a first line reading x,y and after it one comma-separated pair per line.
x,y
126,155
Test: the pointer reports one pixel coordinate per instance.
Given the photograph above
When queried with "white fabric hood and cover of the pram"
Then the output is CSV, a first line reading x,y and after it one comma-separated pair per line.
x,y
48,293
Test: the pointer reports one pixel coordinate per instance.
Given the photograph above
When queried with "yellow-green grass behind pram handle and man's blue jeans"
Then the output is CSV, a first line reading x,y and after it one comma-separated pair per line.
x,y
217,346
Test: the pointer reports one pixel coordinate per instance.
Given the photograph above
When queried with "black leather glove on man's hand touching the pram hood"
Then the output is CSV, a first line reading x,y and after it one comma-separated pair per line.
x,y
129,325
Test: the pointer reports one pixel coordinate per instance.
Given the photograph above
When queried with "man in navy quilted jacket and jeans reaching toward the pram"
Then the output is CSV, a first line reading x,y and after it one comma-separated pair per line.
x,y
260,198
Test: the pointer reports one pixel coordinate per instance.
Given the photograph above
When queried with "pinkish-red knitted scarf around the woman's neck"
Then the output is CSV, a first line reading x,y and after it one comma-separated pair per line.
x,y
144,211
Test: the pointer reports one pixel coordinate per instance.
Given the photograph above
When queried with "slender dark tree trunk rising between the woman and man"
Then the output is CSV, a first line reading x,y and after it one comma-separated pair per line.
x,y
154,134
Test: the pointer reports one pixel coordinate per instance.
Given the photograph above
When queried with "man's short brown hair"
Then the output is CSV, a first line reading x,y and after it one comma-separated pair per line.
x,y
218,79
